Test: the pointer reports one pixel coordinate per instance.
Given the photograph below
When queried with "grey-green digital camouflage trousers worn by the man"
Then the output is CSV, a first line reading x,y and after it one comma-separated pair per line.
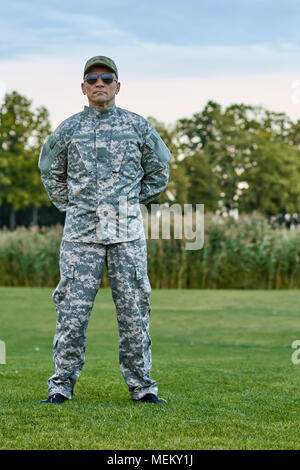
x,y
81,266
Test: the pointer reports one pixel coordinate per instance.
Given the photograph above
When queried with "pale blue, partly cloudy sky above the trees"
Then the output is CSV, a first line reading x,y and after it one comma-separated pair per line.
x,y
172,55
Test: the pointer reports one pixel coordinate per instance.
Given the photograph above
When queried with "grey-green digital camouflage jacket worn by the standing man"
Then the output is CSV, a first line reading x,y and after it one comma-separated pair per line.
x,y
99,166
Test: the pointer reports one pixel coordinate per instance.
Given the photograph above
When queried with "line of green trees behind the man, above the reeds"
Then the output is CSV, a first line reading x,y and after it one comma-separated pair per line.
x,y
242,157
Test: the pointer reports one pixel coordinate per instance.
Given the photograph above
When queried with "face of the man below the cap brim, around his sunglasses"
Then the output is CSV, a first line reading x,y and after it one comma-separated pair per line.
x,y
101,95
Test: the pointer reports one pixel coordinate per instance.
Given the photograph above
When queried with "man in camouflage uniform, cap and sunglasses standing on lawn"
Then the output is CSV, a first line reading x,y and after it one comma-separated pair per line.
x,y
98,166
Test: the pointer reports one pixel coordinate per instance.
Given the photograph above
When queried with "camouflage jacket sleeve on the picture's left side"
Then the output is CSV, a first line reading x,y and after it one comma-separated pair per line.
x,y
53,167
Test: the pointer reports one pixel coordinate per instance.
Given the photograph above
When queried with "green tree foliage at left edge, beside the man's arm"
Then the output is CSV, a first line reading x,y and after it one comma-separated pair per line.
x,y
22,133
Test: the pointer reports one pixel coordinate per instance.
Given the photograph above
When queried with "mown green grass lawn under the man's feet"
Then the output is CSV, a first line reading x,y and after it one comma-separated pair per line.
x,y
221,358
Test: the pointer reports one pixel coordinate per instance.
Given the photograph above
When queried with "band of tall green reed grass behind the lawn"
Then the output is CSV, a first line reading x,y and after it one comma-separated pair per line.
x,y
244,254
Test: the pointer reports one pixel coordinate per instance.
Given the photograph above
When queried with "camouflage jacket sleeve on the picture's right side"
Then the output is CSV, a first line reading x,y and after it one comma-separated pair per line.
x,y
155,163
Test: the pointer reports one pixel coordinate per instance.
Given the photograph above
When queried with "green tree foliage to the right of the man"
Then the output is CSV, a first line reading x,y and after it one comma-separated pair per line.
x,y
243,157
